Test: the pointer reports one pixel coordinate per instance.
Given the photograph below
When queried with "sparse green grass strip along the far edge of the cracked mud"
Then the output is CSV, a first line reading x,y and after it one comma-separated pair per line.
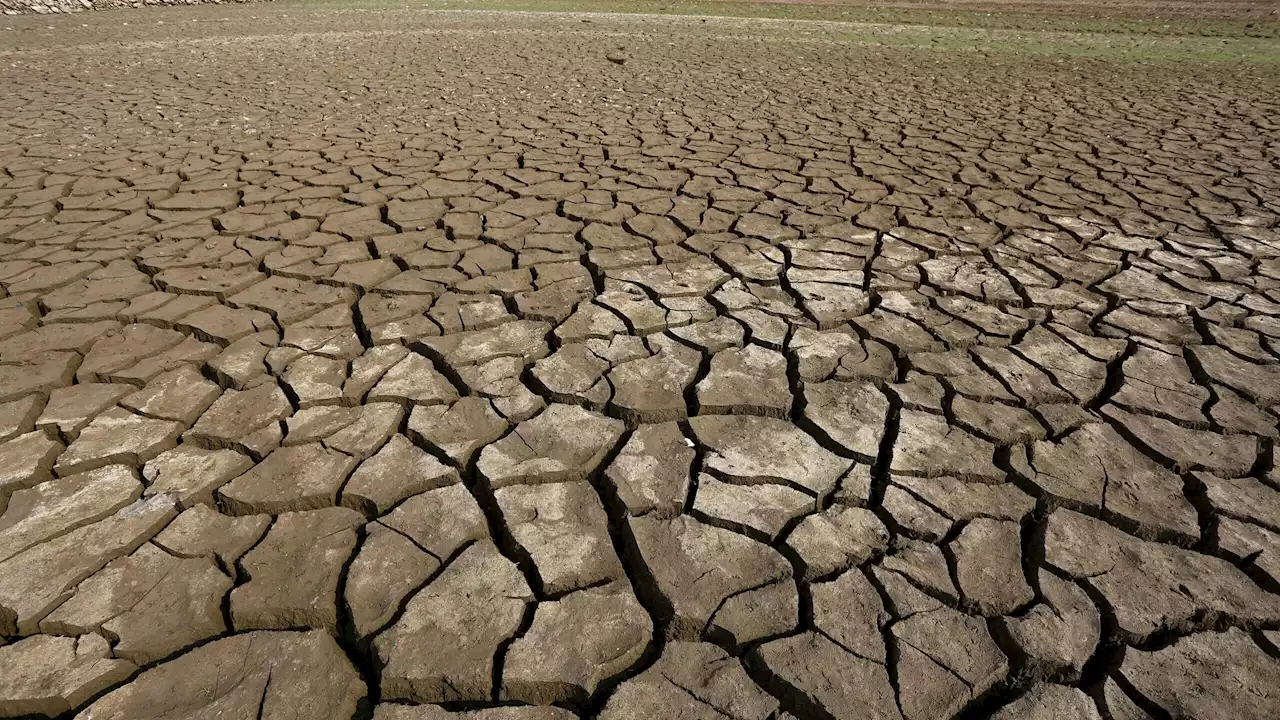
x,y
1233,48
